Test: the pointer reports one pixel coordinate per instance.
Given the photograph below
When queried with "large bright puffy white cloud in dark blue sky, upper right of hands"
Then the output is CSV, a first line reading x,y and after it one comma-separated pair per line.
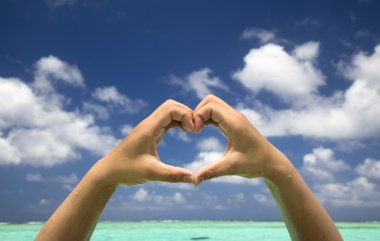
x,y
289,77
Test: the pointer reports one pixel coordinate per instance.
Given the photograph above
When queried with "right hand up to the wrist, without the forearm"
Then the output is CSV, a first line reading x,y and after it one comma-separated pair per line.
x,y
248,153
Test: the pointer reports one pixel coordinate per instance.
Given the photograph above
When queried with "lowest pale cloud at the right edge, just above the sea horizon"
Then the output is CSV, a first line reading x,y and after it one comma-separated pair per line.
x,y
356,193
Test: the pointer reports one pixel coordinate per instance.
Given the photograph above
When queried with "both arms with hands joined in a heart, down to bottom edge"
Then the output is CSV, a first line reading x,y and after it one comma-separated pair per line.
x,y
135,160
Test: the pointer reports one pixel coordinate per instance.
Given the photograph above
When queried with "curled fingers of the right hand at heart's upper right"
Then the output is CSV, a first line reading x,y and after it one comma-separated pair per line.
x,y
211,112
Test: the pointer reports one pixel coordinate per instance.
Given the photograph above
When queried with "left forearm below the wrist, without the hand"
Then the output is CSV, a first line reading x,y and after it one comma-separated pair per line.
x,y
77,216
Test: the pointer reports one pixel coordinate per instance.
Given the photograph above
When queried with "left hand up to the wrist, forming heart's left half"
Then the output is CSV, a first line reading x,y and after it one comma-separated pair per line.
x,y
135,160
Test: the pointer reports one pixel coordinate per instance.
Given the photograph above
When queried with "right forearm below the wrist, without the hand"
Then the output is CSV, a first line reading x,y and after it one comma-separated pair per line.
x,y
304,216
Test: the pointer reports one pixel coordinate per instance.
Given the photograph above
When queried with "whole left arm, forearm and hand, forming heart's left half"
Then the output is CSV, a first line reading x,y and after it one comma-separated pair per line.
x,y
134,161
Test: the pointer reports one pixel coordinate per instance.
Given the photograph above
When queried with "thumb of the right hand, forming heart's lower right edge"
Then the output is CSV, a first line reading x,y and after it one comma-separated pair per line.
x,y
222,167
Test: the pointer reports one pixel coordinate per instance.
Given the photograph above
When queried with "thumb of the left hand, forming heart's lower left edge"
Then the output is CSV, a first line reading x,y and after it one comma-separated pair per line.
x,y
167,173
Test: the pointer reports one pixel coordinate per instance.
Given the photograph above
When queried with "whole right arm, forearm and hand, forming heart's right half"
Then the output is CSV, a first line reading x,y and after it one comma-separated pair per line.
x,y
249,154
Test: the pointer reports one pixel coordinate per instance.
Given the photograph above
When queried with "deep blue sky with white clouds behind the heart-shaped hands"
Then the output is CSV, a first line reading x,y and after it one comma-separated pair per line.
x,y
77,76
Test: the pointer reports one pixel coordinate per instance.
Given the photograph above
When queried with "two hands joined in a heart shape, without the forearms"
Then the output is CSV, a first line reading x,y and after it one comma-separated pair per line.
x,y
136,159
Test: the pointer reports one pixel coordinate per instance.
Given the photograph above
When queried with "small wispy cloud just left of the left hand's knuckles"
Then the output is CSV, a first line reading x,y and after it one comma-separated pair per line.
x,y
111,96
